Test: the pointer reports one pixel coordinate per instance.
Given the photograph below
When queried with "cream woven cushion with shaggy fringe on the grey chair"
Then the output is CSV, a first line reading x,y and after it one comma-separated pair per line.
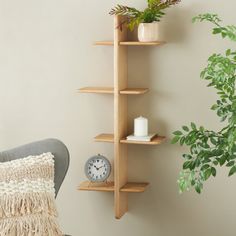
x,y
27,205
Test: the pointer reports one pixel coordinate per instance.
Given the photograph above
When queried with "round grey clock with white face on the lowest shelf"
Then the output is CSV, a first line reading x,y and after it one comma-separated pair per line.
x,y
97,168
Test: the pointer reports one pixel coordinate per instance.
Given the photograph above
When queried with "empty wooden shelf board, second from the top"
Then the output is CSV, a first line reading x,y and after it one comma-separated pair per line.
x,y
108,90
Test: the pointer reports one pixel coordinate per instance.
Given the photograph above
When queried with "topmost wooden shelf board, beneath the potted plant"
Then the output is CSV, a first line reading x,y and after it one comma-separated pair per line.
x,y
130,43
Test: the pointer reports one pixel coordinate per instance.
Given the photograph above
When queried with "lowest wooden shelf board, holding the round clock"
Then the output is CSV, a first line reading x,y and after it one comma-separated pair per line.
x,y
109,187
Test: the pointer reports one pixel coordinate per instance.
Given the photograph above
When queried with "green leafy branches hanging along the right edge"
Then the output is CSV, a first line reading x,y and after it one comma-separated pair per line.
x,y
209,149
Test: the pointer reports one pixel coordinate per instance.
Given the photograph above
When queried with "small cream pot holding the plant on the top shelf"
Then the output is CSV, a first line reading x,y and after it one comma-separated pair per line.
x,y
148,32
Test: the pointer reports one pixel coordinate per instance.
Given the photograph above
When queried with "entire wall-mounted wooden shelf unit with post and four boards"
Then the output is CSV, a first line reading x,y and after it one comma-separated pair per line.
x,y
121,187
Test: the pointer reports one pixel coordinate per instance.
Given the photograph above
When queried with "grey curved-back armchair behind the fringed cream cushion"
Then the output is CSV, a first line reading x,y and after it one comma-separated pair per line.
x,y
56,147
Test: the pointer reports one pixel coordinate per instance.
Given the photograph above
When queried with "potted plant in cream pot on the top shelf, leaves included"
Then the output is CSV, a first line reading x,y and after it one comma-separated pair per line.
x,y
146,20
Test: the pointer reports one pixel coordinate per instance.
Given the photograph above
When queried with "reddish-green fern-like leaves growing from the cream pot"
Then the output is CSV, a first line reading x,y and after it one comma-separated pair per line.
x,y
153,12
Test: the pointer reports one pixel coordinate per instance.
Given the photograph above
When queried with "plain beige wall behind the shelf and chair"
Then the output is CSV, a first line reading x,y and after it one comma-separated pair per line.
x,y
46,53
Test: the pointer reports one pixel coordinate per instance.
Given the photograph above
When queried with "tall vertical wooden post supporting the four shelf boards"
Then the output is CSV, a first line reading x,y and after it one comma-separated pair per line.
x,y
120,118
